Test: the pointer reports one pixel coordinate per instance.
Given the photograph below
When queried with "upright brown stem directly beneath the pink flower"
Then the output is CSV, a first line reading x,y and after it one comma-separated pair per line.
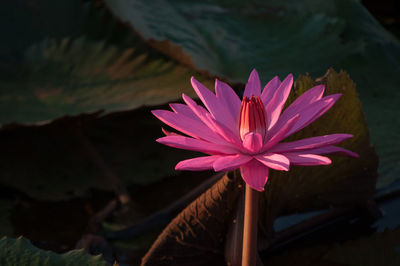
x,y
249,252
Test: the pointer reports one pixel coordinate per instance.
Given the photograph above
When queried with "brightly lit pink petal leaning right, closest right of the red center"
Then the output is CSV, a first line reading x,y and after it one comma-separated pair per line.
x,y
274,107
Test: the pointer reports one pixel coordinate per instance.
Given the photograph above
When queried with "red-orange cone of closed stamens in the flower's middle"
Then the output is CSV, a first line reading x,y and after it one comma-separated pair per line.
x,y
252,117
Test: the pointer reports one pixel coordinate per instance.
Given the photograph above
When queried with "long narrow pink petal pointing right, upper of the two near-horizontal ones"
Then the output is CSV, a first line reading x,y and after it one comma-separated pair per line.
x,y
310,143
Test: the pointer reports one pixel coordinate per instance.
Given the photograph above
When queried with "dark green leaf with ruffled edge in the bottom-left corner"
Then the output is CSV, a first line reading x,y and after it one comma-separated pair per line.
x,y
21,252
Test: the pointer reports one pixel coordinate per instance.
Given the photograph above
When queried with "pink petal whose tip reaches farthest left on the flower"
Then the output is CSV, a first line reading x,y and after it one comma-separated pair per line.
x,y
188,126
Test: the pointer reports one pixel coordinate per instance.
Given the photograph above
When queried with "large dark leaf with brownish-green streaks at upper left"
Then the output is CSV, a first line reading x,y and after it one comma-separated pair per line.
x,y
71,65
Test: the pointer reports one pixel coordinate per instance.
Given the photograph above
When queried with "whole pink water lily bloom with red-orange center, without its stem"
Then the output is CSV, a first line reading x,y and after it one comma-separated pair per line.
x,y
247,134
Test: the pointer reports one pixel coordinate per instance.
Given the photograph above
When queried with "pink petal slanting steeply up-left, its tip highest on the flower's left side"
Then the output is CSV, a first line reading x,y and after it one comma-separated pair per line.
x,y
217,108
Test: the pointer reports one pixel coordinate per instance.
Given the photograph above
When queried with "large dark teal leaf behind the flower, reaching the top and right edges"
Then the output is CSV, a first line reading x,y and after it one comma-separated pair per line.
x,y
280,37
